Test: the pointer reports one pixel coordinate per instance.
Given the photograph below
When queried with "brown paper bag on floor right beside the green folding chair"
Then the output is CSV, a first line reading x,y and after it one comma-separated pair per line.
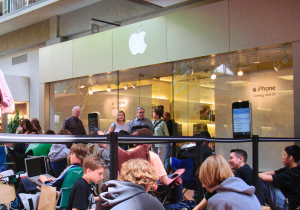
x,y
47,198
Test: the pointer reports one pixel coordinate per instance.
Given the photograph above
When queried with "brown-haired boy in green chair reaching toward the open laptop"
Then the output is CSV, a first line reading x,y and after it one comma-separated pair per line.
x,y
77,154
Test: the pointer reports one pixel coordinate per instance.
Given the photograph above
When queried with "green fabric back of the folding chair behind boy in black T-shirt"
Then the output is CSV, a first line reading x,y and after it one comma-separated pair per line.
x,y
71,177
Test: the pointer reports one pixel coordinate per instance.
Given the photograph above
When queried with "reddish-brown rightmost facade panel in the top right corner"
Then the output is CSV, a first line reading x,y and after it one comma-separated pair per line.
x,y
259,23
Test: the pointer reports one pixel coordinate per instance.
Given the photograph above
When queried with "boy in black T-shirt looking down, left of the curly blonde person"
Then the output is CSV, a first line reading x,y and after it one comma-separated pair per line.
x,y
81,196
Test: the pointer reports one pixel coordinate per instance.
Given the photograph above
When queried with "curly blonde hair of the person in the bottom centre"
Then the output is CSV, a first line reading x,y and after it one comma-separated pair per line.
x,y
138,171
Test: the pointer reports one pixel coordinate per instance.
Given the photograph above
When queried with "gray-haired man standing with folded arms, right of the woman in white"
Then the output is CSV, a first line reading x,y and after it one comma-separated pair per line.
x,y
139,122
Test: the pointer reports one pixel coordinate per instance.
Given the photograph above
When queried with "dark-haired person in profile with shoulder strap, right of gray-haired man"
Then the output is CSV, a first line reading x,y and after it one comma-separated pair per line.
x,y
160,129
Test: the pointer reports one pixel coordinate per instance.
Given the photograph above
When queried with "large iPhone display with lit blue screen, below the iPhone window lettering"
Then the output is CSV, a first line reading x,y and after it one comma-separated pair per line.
x,y
241,119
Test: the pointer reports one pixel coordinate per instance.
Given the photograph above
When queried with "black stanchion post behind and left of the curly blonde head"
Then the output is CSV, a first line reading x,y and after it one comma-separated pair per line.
x,y
113,139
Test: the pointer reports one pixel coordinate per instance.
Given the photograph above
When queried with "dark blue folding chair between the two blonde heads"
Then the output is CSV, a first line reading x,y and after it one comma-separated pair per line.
x,y
188,180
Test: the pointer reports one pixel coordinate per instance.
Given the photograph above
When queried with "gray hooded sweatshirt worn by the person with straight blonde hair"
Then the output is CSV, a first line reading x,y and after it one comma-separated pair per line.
x,y
234,194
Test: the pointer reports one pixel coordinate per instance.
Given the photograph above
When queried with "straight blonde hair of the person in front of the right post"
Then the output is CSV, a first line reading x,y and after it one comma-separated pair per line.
x,y
214,171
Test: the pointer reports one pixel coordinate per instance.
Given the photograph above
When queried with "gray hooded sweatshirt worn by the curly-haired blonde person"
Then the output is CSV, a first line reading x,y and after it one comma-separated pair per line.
x,y
126,196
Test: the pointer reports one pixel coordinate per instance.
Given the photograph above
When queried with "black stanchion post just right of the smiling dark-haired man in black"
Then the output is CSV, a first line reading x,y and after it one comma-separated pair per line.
x,y
255,139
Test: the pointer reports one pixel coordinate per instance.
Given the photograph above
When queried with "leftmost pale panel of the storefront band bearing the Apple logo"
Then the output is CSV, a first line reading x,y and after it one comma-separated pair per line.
x,y
56,62
